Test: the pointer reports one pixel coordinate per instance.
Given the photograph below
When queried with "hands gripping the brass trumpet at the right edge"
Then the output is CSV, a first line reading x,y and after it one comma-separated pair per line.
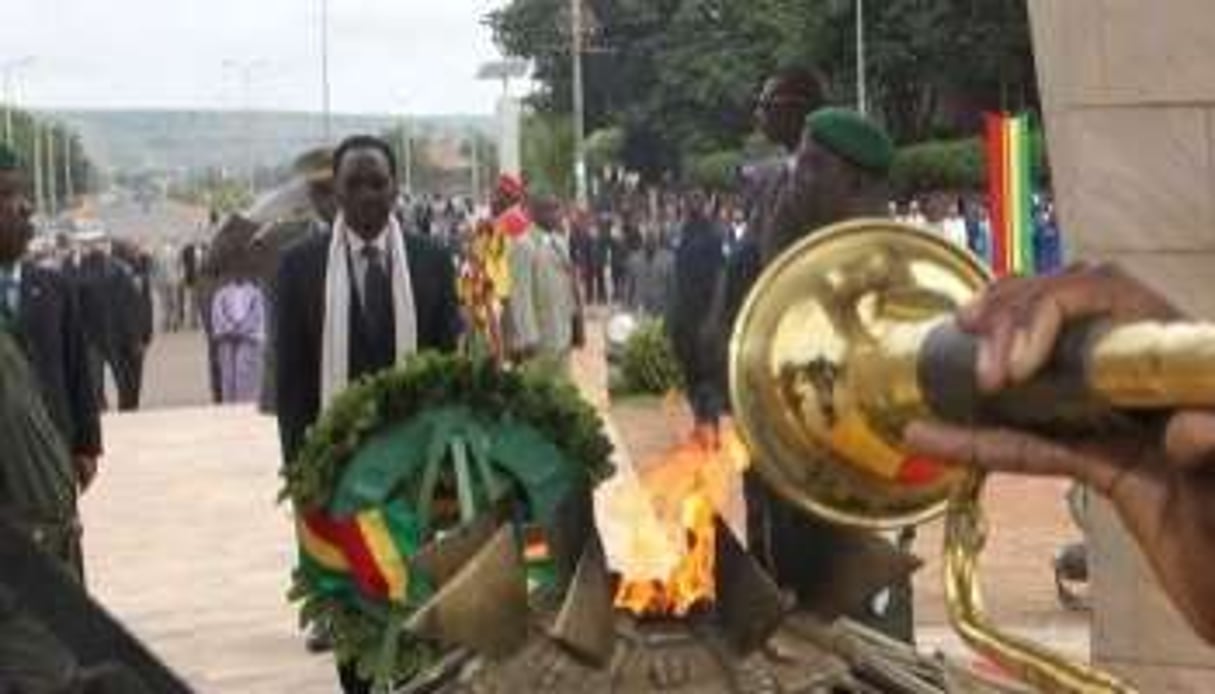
x,y
1163,490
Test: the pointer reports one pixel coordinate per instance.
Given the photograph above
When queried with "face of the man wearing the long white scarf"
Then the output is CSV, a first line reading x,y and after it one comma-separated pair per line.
x,y
366,190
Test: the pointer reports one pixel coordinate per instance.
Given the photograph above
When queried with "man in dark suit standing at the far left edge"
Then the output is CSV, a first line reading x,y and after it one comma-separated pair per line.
x,y
38,307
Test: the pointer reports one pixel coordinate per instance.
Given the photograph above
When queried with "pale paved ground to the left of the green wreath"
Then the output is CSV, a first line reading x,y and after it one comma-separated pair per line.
x,y
185,543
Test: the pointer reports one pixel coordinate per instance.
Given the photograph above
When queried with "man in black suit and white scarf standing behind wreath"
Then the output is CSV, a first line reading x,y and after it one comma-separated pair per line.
x,y
357,301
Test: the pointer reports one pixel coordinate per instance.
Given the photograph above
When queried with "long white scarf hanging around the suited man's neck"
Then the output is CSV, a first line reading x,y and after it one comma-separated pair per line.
x,y
336,338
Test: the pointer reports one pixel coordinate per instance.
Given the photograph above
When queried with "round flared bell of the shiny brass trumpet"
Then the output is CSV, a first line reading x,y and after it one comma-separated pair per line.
x,y
823,421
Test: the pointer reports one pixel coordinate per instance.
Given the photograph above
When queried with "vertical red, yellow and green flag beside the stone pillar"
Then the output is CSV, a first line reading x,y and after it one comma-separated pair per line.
x,y
1010,189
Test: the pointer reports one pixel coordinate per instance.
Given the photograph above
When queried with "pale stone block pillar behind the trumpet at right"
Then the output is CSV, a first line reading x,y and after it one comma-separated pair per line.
x,y
1129,100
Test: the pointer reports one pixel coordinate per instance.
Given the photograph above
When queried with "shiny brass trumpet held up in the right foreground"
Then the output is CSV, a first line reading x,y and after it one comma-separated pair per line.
x,y
849,337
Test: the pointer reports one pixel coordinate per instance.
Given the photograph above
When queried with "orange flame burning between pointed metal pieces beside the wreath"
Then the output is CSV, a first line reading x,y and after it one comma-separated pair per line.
x,y
688,489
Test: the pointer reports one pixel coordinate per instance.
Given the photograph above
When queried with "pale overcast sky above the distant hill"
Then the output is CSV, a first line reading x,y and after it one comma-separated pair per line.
x,y
386,55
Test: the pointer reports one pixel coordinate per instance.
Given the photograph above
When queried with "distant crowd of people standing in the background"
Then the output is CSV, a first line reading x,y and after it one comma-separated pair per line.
x,y
624,253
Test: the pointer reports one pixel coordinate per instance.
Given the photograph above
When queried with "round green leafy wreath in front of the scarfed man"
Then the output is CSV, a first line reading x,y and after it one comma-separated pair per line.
x,y
388,443
